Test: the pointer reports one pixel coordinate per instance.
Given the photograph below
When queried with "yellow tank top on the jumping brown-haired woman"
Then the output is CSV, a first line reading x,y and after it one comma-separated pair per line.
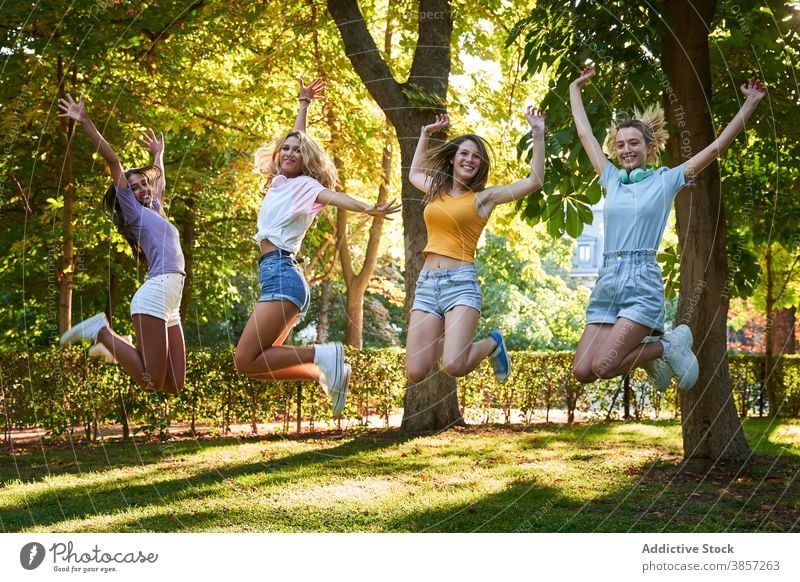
x,y
454,226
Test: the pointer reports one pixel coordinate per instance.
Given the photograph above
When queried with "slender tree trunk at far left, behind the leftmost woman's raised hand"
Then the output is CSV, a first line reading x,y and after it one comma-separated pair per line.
x,y
67,249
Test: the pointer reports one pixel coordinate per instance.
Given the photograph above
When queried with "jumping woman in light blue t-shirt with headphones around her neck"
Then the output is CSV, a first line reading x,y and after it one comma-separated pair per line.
x,y
626,308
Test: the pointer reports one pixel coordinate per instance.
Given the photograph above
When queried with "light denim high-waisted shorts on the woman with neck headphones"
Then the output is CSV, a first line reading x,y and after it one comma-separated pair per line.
x,y
629,285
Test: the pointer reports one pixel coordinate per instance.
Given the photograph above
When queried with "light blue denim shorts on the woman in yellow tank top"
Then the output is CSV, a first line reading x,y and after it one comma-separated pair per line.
x,y
439,290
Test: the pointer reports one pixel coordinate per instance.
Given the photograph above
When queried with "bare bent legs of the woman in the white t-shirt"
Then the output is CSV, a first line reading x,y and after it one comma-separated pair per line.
x,y
260,354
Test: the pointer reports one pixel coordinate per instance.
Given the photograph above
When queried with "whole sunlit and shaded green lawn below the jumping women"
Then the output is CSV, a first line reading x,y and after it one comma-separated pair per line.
x,y
602,477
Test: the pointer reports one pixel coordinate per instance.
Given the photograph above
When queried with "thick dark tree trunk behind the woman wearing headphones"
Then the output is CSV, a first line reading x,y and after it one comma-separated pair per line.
x,y
711,428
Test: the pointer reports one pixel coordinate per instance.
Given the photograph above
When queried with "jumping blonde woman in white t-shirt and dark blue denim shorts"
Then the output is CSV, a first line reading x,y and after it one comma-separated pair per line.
x,y
299,179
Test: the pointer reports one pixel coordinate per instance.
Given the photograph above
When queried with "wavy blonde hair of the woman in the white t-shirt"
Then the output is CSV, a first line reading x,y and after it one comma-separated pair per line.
x,y
316,163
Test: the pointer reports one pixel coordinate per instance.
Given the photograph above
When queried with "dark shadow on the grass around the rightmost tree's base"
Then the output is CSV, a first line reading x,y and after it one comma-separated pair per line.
x,y
762,495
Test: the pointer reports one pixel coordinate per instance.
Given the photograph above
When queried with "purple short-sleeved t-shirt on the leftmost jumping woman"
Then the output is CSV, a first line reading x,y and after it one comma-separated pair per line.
x,y
157,236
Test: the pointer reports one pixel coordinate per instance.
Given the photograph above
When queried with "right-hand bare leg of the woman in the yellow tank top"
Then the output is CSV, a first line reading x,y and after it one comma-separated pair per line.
x,y
462,355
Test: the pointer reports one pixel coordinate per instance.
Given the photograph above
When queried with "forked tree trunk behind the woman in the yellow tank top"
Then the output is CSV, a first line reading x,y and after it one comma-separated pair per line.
x,y
433,404
